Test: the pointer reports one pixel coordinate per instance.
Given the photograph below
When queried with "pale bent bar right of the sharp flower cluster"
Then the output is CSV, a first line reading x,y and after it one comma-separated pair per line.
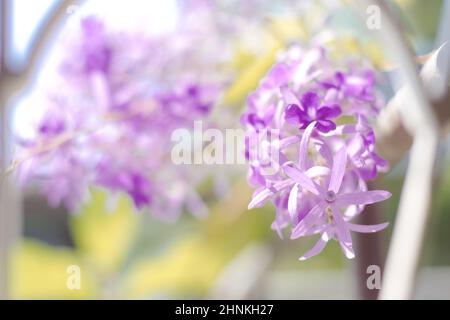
x,y
414,110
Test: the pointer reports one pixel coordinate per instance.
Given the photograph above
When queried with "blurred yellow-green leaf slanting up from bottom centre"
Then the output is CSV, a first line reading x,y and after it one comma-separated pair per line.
x,y
192,264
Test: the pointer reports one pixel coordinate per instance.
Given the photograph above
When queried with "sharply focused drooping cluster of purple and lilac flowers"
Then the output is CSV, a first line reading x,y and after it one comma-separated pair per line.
x,y
311,147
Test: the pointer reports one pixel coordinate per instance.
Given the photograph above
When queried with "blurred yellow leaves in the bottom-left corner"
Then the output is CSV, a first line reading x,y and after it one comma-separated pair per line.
x,y
102,239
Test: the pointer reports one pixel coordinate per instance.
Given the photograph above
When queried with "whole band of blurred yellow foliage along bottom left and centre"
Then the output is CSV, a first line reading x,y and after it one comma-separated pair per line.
x,y
104,238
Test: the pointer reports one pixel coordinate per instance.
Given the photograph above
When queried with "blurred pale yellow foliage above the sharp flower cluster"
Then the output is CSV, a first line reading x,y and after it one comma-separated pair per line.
x,y
349,38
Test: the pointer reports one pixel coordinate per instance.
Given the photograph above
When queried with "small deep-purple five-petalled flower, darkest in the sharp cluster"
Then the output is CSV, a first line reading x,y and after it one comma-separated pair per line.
x,y
309,110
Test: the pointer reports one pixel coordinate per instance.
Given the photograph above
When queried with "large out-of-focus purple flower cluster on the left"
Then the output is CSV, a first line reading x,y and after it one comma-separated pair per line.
x,y
110,115
